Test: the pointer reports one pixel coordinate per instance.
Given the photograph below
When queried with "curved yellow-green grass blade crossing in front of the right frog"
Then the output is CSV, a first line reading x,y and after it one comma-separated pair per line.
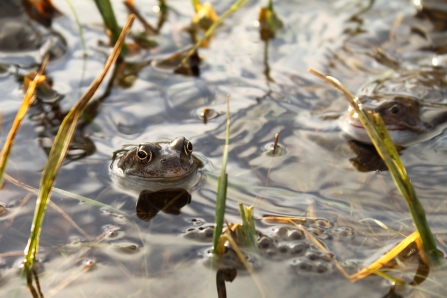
x,y
381,139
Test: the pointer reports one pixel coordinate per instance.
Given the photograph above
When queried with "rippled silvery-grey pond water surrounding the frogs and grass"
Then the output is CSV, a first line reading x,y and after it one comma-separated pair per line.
x,y
113,253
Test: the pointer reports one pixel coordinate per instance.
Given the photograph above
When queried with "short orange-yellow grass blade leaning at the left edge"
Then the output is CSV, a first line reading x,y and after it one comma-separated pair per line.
x,y
27,101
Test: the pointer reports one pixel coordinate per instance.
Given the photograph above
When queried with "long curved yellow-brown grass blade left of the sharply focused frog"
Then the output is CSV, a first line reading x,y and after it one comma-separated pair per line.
x,y
59,150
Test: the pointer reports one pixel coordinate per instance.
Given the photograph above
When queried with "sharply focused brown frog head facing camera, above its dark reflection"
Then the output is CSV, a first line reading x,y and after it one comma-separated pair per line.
x,y
156,165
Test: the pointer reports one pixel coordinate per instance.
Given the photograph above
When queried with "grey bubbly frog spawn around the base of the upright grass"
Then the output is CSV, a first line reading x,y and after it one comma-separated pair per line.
x,y
282,244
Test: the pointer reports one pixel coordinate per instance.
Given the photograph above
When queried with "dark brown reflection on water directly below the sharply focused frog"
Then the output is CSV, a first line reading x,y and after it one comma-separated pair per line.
x,y
170,201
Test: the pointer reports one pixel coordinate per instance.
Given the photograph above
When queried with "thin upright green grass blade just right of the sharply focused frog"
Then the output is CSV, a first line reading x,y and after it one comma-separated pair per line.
x,y
222,186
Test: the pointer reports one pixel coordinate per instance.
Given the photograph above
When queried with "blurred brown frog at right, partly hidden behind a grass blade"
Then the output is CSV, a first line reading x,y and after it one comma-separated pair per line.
x,y
401,115
